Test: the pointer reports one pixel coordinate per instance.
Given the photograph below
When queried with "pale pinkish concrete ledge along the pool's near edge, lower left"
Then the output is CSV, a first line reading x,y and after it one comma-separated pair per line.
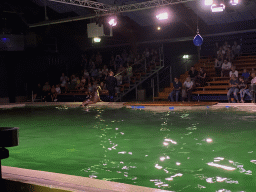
x,y
48,180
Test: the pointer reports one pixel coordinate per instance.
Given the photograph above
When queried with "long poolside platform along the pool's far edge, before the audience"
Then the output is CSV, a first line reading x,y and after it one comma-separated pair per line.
x,y
158,106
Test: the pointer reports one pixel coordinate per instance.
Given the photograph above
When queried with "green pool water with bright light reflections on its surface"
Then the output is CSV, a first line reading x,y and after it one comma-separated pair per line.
x,y
176,151
